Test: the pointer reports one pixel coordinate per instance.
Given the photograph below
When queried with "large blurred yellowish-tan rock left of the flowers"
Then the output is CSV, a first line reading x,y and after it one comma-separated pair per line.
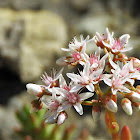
x,y
30,42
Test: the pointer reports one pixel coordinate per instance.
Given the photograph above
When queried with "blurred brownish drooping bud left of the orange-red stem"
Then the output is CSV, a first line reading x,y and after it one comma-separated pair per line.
x,y
96,111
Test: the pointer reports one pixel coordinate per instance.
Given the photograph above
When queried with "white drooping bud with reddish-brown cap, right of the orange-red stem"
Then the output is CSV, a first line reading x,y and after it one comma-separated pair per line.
x,y
126,105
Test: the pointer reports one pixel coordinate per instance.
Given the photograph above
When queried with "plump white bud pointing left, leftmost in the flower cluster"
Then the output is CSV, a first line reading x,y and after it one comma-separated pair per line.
x,y
35,89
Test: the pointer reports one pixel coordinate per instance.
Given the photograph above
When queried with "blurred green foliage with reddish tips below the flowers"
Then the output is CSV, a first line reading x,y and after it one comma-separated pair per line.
x,y
34,128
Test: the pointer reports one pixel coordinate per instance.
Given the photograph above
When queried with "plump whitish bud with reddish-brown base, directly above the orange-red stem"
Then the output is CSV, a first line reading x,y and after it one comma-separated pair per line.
x,y
110,105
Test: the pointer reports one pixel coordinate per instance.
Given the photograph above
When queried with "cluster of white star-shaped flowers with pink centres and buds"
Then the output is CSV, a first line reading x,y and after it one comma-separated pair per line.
x,y
114,68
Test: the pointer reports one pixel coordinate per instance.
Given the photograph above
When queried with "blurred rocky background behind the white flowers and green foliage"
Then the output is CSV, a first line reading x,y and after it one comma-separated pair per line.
x,y
31,35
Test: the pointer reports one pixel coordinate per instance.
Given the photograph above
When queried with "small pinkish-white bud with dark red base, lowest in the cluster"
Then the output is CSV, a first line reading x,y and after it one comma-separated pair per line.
x,y
62,117
